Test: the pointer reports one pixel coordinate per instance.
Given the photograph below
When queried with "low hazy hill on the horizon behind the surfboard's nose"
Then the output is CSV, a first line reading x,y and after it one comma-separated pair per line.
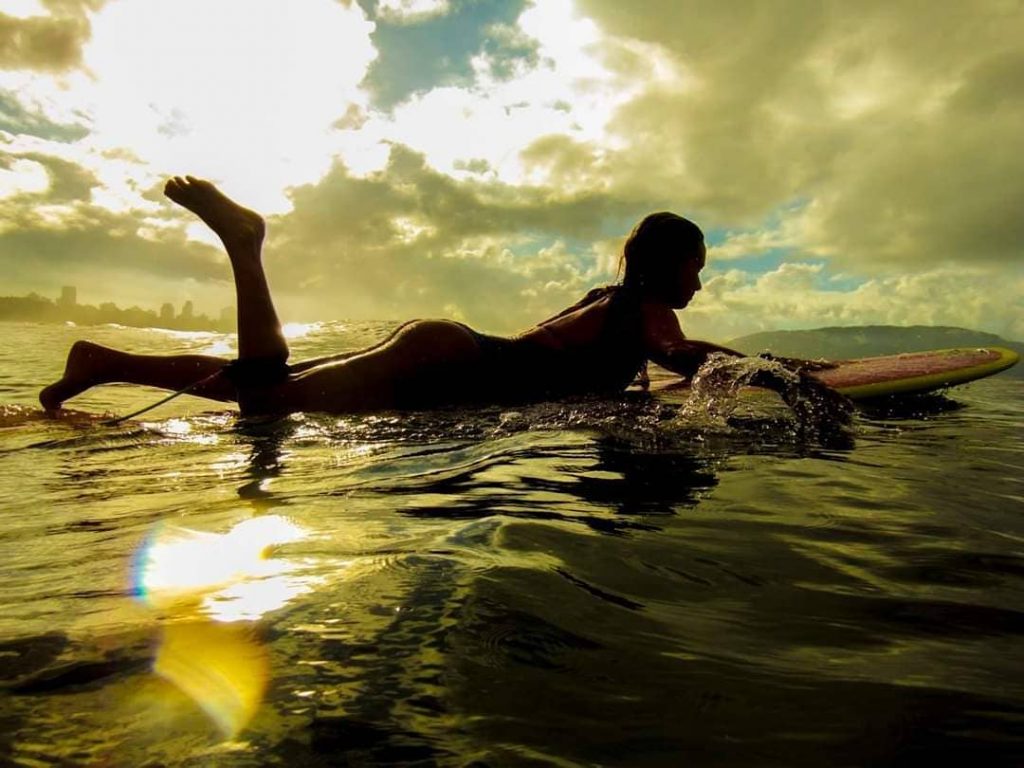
x,y
866,342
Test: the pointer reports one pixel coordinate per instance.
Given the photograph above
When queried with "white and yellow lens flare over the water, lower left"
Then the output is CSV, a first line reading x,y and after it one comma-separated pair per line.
x,y
210,588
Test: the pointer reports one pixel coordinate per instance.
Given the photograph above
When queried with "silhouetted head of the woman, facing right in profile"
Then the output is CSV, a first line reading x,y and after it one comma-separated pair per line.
x,y
663,257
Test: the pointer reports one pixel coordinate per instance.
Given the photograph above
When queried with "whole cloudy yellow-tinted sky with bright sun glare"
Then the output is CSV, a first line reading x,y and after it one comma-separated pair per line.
x,y
484,160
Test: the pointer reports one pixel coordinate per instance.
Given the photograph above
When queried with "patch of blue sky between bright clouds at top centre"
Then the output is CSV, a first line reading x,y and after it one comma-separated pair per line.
x,y
416,58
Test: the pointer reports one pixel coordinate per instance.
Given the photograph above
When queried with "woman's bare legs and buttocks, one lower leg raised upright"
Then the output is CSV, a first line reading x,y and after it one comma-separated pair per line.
x,y
422,363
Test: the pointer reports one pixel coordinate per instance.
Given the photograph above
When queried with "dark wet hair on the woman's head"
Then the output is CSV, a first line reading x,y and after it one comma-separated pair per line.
x,y
658,238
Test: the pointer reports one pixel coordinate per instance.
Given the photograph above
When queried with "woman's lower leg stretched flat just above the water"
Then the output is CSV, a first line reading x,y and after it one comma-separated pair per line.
x,y
90,365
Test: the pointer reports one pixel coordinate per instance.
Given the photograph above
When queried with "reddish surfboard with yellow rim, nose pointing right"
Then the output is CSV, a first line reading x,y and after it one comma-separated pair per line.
x,y
911,373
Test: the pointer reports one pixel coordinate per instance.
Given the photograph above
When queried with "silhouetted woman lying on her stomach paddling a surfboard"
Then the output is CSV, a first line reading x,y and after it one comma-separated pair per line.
x,y
599,346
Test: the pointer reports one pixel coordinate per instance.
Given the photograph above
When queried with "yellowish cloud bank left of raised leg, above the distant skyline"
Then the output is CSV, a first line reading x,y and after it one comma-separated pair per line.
x,y
61,232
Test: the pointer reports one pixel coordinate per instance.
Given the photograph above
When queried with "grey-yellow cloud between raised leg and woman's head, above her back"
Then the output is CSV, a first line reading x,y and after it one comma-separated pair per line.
x,y
411,241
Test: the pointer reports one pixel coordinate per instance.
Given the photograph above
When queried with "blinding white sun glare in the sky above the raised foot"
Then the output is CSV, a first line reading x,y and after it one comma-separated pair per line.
x,y
243,92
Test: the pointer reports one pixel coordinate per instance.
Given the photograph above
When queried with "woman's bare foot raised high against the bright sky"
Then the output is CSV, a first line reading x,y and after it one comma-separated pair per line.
x,y
241,231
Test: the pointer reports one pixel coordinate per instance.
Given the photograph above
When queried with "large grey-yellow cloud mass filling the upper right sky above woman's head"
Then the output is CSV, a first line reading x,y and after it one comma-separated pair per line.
x,y
898,132
